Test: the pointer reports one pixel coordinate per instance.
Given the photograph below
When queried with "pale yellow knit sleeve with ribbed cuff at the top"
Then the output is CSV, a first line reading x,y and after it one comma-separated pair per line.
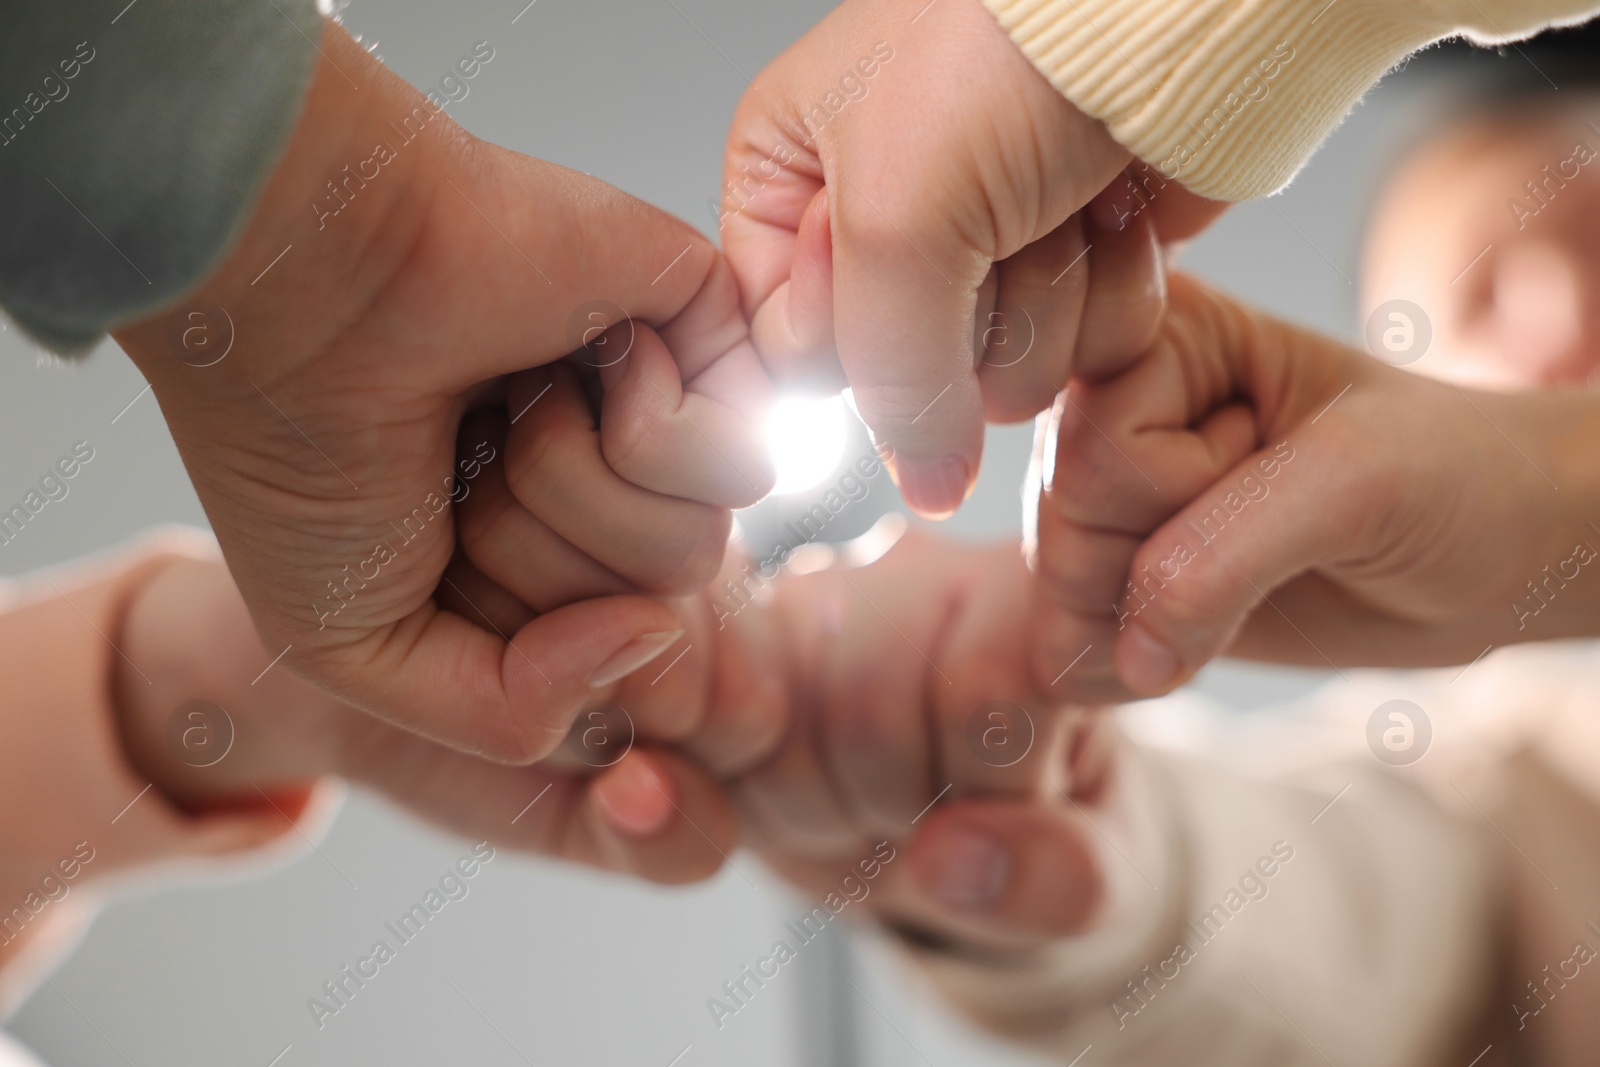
x,y
1233,97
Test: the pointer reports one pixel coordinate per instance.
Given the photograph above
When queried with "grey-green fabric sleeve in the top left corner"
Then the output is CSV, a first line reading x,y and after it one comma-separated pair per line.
x,y
134,143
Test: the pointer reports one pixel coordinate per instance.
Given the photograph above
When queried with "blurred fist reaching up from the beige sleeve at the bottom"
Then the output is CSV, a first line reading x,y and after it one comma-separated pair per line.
x,y
921,759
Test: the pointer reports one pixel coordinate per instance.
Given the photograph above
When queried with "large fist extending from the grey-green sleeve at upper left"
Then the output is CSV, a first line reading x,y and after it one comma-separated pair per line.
x,y
377,297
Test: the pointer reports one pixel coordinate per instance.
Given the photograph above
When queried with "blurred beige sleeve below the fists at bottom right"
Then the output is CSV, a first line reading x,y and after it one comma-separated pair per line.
x,y
1258,925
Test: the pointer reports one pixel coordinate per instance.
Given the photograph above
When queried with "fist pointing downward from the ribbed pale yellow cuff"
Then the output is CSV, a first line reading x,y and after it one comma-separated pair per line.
x,y
903,185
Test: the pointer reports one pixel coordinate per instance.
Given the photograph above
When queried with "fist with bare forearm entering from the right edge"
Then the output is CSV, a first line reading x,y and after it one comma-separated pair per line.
x,y
1255,489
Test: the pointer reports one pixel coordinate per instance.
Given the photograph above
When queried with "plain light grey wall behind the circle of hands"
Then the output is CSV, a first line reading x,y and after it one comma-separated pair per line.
x,y
553,965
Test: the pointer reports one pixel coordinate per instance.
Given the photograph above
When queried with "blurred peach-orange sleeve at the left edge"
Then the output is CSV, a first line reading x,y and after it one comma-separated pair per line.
x,y
81,820
